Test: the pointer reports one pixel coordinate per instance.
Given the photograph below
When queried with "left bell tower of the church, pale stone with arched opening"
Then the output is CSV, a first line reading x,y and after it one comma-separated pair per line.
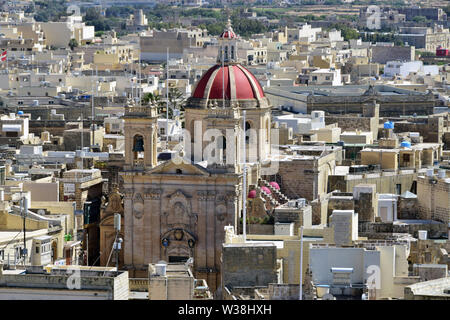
x,y
140,126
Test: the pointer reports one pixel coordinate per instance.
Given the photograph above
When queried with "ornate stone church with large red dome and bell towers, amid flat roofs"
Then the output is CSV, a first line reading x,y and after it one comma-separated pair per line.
x,y
175,210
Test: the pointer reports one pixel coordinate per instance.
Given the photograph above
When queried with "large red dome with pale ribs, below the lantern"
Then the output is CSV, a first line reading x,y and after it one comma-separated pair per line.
x,y
243,84
